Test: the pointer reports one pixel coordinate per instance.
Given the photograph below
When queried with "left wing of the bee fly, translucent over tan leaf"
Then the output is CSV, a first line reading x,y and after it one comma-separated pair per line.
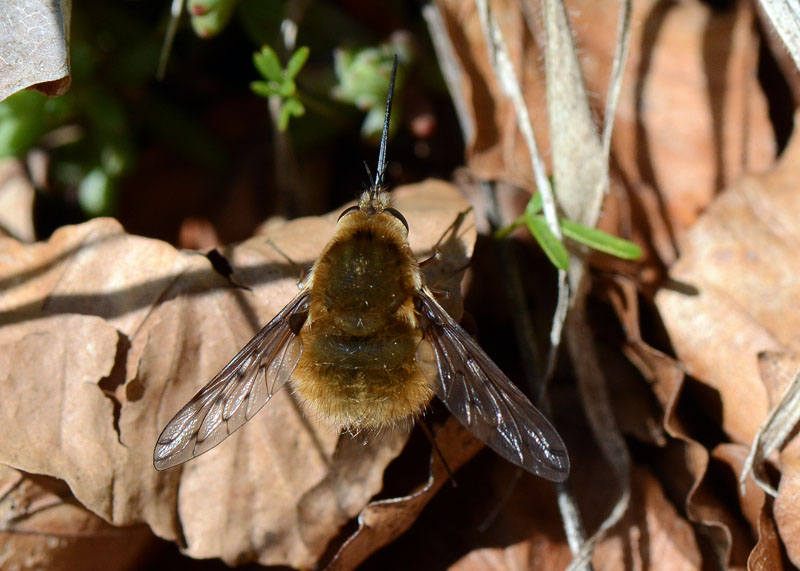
x,y
238,391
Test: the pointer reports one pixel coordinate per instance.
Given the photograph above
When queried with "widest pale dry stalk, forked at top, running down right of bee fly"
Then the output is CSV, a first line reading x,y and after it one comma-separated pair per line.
x,y
580,163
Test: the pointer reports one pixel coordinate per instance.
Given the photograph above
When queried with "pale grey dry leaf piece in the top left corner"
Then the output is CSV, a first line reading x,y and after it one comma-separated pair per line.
x,y
34,41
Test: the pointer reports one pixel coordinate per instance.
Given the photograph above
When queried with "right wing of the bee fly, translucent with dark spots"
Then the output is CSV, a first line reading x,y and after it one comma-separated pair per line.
x,y
483,399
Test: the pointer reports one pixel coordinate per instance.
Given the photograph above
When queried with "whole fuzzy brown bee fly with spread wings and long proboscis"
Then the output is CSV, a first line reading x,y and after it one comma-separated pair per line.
x,y
366,346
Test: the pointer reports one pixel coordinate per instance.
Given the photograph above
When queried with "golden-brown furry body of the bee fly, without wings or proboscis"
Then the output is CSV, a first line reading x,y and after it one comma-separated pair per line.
x,y
358,368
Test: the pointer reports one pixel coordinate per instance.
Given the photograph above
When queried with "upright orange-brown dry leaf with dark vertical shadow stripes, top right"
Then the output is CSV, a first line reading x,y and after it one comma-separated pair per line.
x,y
692,115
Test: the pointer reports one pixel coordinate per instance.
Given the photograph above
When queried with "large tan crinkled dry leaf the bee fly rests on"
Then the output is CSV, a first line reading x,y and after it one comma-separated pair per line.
x,y
105,335
